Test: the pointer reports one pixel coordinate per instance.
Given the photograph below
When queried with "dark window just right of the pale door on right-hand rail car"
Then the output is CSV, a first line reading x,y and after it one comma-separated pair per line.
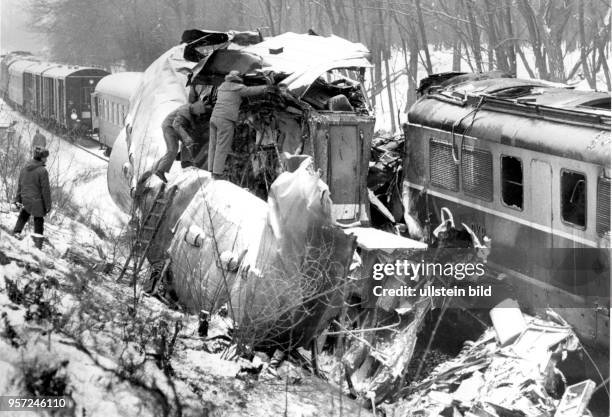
x,y
573,198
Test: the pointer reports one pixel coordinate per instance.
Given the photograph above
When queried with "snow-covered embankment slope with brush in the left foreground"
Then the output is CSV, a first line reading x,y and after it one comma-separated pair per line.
x,y
67,328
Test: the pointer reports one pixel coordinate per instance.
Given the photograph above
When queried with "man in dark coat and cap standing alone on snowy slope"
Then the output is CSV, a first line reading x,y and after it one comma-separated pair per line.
x,y
34,196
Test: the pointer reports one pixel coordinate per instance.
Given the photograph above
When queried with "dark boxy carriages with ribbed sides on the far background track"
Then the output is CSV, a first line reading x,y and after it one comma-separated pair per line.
x,y
57,95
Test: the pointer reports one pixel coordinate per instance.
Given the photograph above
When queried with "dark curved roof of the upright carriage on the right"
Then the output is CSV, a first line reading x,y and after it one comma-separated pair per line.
x,y
530,114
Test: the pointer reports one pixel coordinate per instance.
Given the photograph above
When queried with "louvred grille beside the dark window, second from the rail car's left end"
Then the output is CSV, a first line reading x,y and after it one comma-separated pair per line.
x,y
477,173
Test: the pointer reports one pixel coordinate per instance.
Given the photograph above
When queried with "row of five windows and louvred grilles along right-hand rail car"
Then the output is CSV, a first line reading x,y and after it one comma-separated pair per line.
x,y
477,181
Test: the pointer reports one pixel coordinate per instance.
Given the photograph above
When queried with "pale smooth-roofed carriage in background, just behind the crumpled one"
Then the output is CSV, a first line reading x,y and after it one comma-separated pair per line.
x,y
110,103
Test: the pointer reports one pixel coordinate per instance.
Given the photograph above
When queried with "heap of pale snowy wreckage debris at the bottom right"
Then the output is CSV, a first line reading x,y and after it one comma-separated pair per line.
x,y
491,379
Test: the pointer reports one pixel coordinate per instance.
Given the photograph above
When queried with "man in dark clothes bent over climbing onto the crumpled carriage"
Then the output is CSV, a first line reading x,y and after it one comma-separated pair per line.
x,y
182,125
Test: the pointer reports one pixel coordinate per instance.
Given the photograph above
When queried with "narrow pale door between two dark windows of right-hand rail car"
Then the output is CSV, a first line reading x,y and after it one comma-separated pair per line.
x,y
541,208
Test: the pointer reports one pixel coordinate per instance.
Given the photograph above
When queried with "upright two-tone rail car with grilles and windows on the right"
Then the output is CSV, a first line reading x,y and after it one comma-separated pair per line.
x,y
527,164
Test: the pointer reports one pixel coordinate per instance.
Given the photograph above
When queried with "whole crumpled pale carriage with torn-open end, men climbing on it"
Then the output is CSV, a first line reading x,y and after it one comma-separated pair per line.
x,y
278,266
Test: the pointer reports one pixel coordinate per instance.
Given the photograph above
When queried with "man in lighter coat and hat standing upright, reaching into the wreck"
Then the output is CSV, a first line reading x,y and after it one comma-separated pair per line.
x,y
224,117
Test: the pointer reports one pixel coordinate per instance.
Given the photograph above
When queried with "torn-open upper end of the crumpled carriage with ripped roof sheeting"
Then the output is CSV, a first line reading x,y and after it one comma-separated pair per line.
x,y
321,110
